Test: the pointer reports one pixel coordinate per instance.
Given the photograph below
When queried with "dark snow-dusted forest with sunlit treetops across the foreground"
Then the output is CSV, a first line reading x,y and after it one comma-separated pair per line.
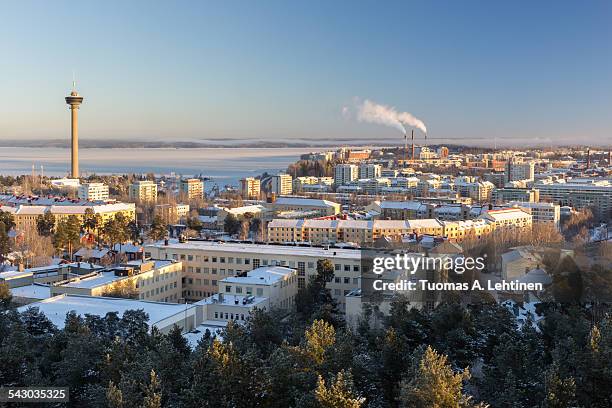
x,y
456,355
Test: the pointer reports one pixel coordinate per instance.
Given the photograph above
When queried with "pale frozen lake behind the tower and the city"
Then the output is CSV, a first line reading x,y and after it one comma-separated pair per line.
x,y
223,165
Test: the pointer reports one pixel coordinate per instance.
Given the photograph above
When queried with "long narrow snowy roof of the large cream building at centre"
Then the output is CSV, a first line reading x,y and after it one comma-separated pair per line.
x,y
260,249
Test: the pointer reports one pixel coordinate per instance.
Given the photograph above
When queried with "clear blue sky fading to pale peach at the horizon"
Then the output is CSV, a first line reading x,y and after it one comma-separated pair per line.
x,y
278,70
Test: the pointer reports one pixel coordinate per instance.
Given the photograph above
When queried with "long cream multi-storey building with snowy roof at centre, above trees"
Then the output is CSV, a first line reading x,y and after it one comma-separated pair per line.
x,y
206,263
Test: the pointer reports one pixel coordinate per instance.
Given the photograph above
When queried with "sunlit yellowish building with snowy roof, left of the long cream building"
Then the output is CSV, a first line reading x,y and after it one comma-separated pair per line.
x,y
153,280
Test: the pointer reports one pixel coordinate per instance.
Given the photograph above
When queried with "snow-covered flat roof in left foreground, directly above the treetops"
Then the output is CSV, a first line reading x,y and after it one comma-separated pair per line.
x,y
57,307
